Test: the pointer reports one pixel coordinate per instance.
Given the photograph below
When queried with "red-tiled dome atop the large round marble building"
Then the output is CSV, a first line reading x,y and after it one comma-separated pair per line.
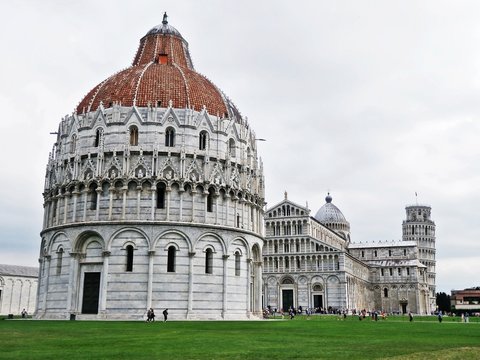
x,y
162,71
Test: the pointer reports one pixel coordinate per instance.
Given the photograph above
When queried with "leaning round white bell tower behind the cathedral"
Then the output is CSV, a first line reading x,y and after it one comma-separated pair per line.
x,y
419,227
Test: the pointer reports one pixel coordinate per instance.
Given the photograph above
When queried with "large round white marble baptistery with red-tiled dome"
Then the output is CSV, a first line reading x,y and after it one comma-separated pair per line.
x,y
153,197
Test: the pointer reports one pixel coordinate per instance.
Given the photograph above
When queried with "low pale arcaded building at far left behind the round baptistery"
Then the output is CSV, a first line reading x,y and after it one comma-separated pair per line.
x,y
18,289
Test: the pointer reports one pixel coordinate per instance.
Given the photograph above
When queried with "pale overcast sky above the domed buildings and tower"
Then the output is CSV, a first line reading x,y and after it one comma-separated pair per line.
x,y
370,100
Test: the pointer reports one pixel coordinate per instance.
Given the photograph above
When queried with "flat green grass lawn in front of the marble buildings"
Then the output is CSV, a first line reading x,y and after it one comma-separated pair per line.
x,y
321,337
